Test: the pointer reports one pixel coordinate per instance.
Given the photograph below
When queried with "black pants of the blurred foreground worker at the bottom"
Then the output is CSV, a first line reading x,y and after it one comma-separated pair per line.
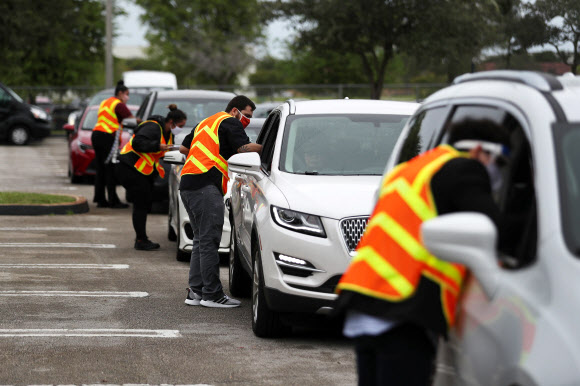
x,y
402,356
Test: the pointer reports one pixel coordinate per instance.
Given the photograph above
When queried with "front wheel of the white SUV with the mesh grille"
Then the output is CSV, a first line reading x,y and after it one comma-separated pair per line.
x,y
265,322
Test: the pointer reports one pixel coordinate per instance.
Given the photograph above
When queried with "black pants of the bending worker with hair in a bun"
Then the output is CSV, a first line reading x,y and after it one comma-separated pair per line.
x,y
140,189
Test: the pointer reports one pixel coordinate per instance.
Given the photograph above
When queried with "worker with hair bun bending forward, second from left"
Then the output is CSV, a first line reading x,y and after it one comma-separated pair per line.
x,y
139,164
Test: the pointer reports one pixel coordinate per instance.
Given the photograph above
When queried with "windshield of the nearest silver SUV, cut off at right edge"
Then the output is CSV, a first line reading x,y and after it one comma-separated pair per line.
x,y
568,144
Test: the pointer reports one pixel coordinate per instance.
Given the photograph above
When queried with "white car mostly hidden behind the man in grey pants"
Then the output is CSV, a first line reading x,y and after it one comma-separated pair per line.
x,y
179,227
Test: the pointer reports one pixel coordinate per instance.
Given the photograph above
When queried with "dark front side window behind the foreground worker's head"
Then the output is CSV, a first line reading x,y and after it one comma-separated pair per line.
x,y
516,199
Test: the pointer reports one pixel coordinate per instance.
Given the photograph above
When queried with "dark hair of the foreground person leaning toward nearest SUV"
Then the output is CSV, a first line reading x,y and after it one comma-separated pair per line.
x,y
478,129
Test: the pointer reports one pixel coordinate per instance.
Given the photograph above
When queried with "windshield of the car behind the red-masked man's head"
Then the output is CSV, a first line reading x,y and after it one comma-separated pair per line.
x,y
195,109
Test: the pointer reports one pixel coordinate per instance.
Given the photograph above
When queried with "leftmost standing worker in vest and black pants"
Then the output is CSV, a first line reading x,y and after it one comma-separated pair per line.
x,y
112,112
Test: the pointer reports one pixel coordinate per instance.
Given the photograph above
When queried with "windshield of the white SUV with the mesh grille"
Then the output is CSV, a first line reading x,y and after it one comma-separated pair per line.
x,y
350,144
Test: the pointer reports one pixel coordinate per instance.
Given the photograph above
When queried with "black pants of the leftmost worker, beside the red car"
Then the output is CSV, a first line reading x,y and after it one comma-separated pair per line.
x,y
102,143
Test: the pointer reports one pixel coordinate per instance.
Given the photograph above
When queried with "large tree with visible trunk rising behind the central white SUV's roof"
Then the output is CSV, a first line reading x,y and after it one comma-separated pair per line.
x,y
373,30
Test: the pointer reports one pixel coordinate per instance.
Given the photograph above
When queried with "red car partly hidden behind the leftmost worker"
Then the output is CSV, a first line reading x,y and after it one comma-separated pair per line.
x,y
82,163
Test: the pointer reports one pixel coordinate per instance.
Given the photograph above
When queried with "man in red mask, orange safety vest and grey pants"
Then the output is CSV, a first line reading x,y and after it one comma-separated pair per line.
x,y
204,182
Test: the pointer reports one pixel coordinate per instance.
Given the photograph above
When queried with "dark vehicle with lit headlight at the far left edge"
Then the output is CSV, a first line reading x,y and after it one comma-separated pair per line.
x,y
19,121
